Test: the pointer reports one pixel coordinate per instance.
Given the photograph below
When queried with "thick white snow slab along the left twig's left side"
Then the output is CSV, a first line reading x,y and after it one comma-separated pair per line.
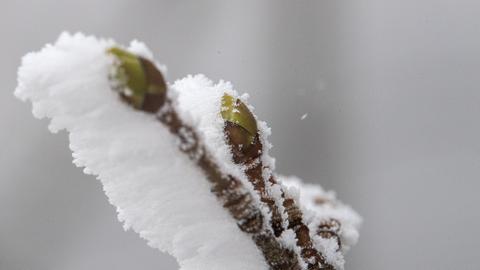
x,y
157,191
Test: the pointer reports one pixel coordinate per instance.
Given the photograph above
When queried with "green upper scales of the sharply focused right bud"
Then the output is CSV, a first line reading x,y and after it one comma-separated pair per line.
x,y
235,111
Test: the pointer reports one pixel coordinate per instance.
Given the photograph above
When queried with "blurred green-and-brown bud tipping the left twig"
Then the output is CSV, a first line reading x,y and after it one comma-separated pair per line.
x,y
140,83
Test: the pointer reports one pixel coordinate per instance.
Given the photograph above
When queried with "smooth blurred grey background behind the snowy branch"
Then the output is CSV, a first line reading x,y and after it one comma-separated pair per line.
x,y
391,89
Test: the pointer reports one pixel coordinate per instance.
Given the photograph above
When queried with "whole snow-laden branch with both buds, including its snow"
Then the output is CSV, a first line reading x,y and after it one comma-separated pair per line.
x,y
176,201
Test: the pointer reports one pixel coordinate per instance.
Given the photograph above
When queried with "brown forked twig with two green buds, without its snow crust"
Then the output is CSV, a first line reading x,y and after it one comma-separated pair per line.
x,y
150,95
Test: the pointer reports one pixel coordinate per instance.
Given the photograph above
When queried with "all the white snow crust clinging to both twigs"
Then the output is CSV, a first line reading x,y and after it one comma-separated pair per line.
x,y
157,191
